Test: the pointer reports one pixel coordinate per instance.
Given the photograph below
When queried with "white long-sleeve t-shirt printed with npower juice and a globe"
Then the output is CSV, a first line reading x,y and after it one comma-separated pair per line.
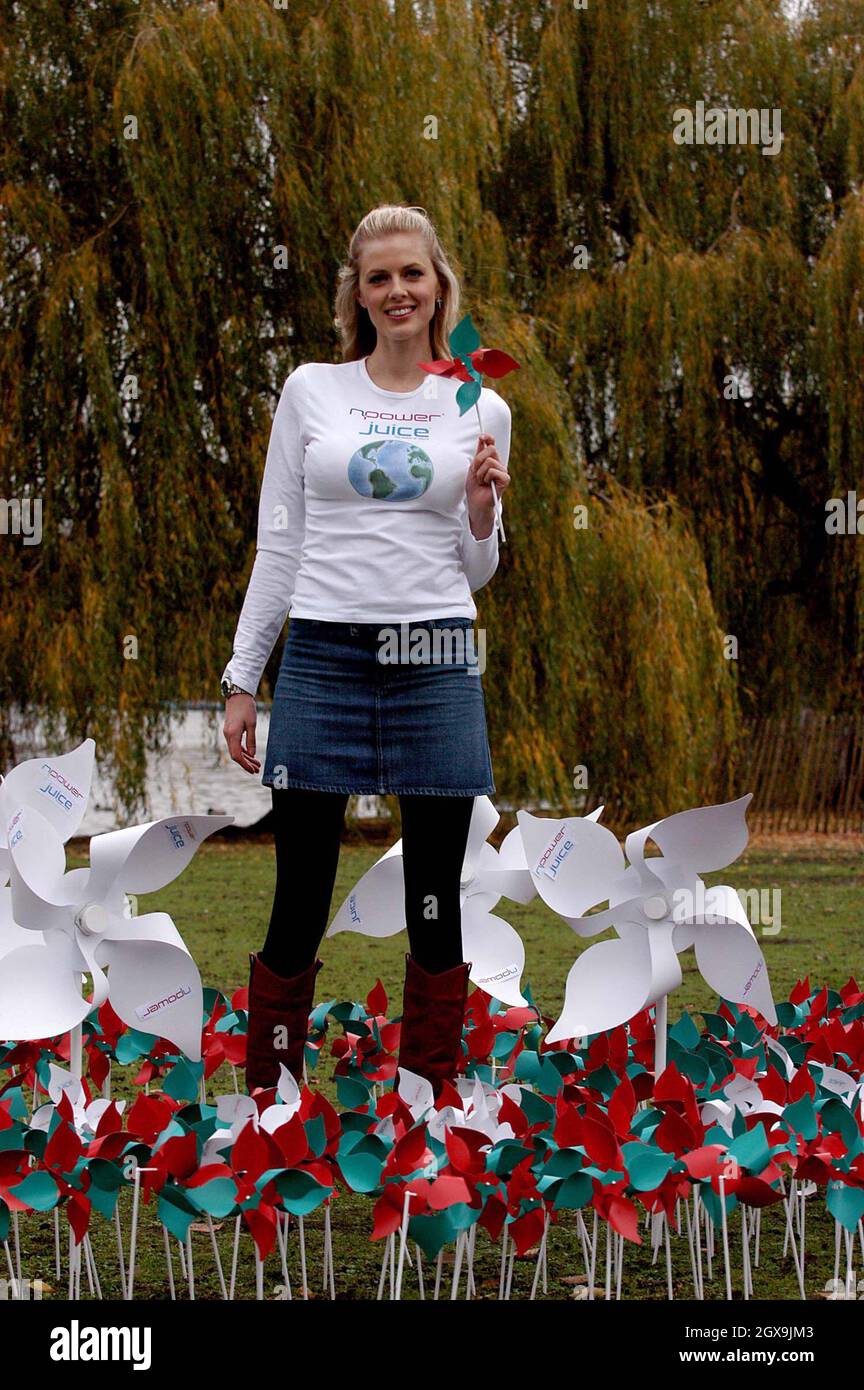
x,y
363,514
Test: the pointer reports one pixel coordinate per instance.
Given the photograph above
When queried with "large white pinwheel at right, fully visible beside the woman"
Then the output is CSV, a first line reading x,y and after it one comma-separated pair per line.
x,y
658,906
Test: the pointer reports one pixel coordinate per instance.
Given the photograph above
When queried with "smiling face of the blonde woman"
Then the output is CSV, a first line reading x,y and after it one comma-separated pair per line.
x,y
397,275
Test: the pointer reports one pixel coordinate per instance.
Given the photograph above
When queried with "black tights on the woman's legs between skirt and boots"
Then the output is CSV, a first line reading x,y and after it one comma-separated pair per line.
x,y
308,839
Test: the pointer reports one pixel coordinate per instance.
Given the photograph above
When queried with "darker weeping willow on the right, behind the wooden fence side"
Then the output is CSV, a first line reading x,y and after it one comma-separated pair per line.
x,y
704,302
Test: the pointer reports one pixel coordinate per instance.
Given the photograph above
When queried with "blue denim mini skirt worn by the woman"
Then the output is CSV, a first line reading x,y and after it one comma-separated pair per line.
x,y
377,708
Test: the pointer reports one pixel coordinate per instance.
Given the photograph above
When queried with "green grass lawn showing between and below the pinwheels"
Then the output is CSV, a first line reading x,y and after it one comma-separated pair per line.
x,y
222,906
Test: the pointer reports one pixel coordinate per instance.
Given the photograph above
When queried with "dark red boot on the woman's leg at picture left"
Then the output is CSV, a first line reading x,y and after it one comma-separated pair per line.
x,y
277,1001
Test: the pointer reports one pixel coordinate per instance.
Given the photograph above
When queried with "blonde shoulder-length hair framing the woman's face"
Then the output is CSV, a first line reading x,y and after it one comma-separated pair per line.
x,y
352,320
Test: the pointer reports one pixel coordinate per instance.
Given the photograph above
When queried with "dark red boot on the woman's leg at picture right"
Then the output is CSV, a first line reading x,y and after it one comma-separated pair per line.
x,y
433,1014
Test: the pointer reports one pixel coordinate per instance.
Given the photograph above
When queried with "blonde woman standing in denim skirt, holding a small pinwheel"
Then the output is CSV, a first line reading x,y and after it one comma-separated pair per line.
x,y
376,521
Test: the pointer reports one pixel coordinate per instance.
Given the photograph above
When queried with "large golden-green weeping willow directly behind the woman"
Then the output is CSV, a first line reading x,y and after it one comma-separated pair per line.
x,y
178,187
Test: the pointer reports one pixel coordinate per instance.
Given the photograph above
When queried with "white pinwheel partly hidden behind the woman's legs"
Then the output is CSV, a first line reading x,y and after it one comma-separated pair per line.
x,y
376,907
